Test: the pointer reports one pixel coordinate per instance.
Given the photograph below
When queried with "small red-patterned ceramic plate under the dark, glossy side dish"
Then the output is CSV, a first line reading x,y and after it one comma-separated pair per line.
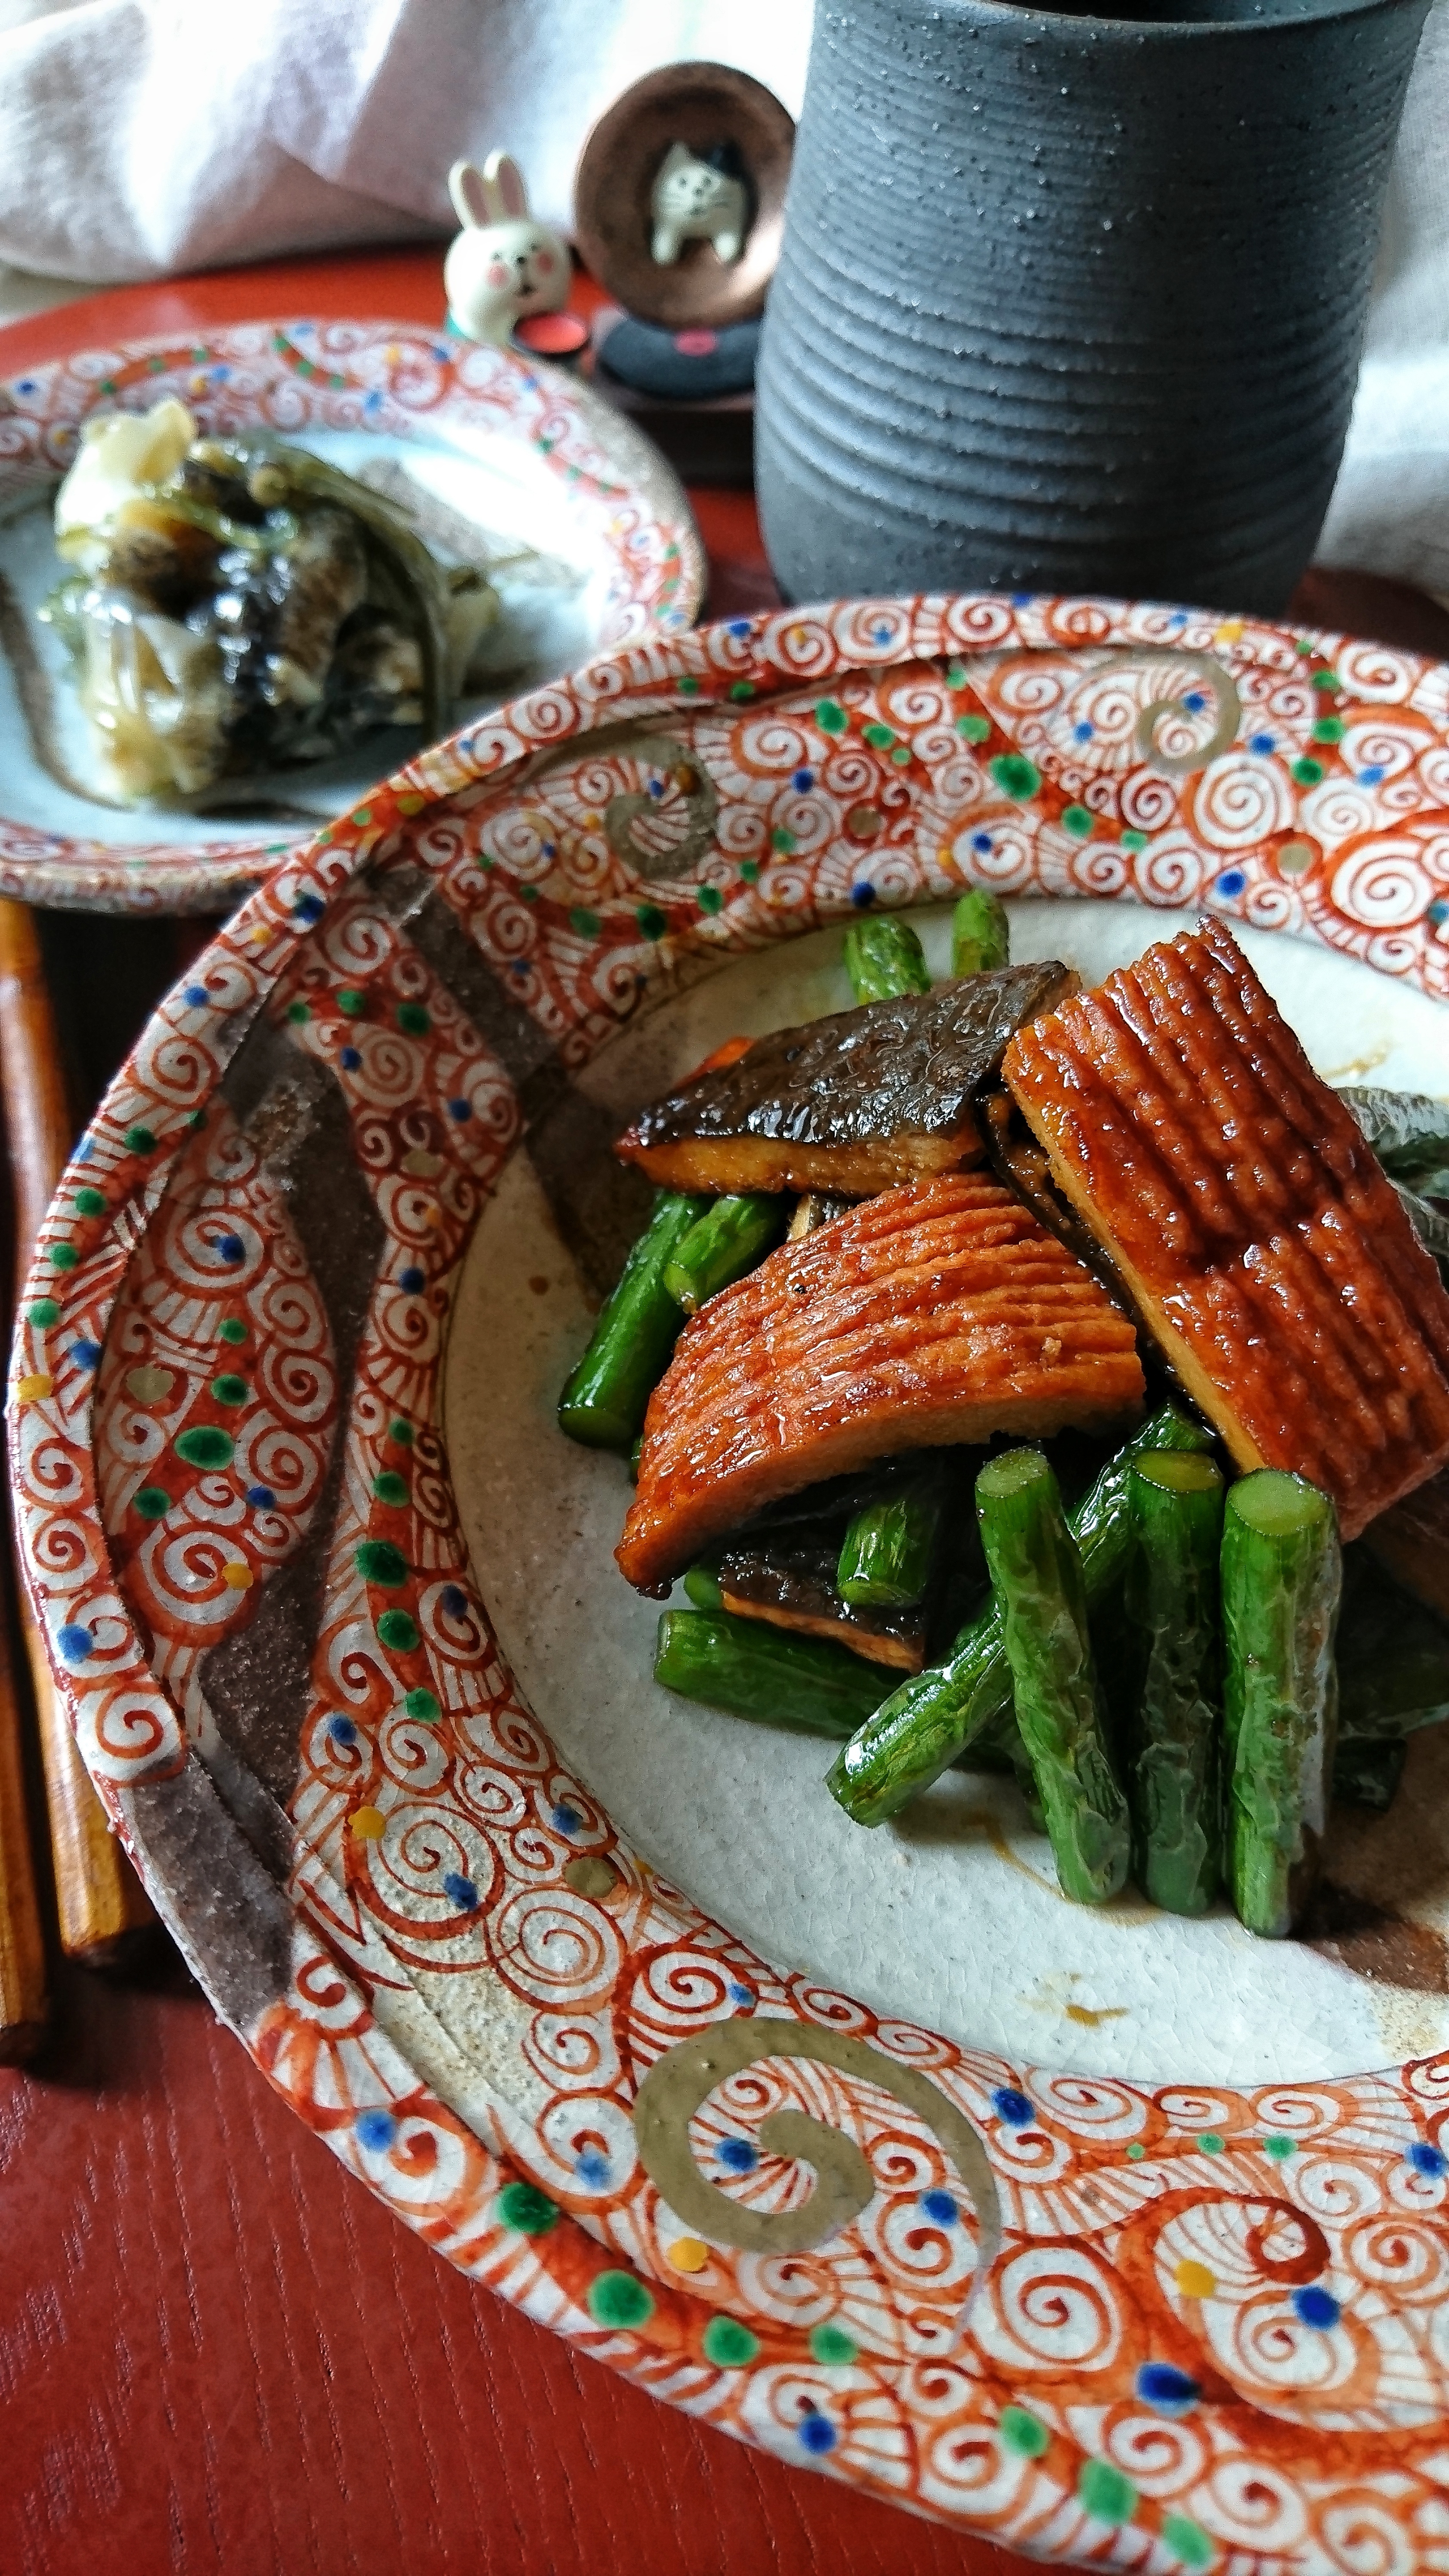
x,y
576,519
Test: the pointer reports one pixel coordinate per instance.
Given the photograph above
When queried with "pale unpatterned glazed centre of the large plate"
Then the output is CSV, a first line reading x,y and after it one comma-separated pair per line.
x,y
953,1915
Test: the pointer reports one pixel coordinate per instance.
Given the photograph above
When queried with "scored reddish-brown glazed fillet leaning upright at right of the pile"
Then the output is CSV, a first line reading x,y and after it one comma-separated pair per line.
x,y
1249,1220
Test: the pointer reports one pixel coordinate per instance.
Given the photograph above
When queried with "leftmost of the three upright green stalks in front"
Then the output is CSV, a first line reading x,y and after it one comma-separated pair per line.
x,y
1038,1575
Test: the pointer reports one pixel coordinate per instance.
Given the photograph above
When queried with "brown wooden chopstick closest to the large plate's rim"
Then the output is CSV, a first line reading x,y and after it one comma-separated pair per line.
x,y
99,1897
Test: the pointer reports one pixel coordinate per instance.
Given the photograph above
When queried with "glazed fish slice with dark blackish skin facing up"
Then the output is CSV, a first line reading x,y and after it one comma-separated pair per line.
x,y
855,1104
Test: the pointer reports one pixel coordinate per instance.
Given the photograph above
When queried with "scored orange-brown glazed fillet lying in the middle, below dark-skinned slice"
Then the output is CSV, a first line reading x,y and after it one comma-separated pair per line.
x,y
940,1312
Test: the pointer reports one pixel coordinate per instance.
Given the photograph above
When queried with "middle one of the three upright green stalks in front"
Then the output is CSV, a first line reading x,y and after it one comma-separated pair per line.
x,y
1174,1784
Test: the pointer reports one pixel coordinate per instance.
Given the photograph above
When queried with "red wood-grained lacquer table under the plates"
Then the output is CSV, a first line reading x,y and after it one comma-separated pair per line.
x,y
215,2351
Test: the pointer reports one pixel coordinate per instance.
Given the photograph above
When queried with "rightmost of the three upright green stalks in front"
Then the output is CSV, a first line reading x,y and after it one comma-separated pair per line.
x,y
1280,1604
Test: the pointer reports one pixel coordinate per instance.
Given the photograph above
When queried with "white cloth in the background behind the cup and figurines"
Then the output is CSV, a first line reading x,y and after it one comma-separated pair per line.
x,y
153,135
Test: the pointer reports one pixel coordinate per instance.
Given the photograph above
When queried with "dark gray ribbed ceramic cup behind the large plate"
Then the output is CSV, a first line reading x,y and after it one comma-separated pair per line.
x,y
1074,303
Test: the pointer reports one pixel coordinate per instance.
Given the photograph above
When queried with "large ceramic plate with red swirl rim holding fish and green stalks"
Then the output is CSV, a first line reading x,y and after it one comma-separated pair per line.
x,y
1097,2235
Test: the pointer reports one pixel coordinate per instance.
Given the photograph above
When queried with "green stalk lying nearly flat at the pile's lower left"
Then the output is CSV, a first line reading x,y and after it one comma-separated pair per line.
x,y
759,1673
